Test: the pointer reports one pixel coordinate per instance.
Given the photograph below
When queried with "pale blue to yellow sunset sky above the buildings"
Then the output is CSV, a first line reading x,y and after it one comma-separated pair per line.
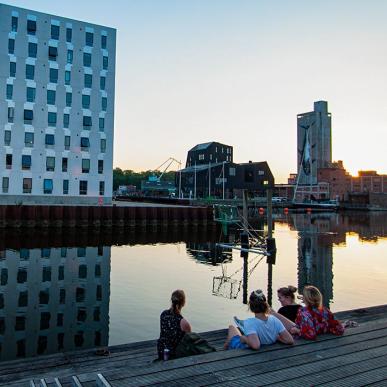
x,y
239,72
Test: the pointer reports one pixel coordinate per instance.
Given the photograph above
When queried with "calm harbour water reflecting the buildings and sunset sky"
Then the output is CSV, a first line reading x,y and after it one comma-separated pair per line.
x,y
60,293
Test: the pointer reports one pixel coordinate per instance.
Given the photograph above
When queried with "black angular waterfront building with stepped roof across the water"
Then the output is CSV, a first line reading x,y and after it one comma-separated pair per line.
x,y
210,171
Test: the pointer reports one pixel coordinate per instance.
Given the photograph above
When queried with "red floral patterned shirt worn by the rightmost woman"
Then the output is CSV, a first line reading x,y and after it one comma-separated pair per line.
x,y
316,321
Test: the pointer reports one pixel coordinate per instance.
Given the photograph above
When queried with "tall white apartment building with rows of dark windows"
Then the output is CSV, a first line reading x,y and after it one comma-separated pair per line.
x,y
57,80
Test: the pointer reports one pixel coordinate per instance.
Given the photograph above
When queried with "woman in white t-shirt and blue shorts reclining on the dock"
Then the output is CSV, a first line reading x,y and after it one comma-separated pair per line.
x,y
262,329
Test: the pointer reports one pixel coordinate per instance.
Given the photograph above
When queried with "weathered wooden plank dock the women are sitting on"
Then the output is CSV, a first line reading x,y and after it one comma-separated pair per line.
x,y
358,358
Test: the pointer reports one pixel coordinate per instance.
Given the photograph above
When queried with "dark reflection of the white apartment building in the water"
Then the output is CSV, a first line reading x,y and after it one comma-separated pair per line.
x,y
53,299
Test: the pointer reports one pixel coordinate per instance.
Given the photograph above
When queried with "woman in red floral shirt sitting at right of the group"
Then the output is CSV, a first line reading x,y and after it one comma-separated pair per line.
x,y
314,319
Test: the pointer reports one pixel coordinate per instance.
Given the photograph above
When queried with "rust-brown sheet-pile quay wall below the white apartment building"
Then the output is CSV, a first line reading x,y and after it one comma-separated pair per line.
x,y
45,216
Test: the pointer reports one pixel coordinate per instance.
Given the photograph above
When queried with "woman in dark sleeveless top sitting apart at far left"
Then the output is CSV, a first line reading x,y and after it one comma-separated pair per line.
x,y
173,325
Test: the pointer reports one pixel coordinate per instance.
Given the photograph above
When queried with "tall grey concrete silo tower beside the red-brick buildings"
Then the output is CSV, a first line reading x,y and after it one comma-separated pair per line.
x,y
314,142
